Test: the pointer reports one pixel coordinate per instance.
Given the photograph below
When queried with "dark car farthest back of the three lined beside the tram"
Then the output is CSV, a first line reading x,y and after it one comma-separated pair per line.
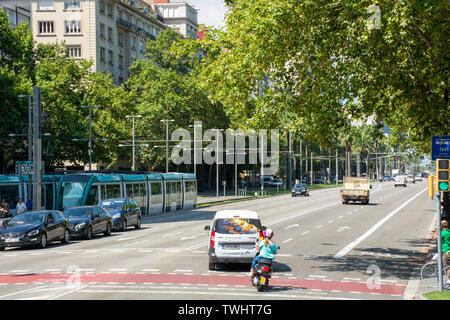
x,y
125,212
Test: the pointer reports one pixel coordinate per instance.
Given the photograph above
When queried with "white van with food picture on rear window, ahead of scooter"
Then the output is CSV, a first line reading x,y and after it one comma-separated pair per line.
x,y
233,236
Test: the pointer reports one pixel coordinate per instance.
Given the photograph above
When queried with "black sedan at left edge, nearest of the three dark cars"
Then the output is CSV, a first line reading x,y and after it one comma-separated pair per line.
x,y
35,228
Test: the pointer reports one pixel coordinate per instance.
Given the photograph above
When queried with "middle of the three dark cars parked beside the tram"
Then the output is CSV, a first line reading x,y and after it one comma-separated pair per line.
x,y
87,221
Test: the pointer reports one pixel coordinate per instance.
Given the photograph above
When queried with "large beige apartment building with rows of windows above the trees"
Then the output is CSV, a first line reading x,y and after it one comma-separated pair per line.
x,y
110,32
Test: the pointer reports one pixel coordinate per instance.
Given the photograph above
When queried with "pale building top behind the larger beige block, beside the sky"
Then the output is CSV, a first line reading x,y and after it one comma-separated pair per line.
x,y
178,15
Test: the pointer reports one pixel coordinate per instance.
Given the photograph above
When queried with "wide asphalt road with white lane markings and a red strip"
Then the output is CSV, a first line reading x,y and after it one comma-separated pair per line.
x,y
329,251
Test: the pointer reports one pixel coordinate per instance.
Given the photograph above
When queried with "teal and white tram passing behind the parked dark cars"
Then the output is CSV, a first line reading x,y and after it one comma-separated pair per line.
x,y
155,192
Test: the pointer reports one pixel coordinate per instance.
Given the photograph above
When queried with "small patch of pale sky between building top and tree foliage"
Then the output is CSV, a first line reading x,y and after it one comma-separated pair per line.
x,y
211,12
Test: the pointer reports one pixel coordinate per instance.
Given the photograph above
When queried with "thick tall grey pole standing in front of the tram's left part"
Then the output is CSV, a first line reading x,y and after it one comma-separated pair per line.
x,y
37,149
